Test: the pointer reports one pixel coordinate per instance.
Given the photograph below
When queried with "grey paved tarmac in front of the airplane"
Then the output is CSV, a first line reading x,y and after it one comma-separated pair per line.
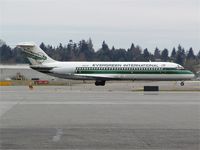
x,y
104,118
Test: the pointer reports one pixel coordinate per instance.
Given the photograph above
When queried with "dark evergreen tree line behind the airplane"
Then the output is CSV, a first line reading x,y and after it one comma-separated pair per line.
x,y
84,51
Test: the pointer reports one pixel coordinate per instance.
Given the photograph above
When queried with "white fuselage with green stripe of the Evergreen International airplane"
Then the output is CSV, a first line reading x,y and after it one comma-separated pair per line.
x,y
116,70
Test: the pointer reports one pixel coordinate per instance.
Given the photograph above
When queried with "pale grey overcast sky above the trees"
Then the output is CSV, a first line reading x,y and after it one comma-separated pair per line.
x,y
148,23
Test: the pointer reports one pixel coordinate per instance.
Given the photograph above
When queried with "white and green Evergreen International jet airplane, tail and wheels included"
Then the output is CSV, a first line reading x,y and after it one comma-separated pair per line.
x,y
101,72
